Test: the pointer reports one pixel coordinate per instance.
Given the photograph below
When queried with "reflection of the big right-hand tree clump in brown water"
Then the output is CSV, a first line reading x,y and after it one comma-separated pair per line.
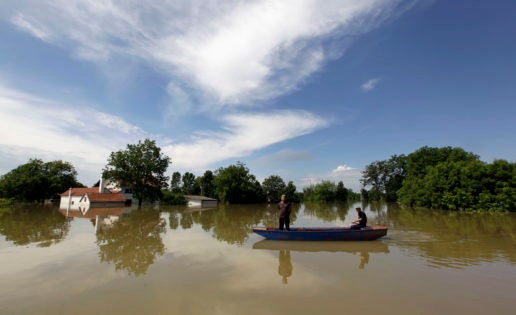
x,y
453,239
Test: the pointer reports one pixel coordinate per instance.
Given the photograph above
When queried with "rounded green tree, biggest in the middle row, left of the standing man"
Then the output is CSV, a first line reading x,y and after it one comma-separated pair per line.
x,y
234,184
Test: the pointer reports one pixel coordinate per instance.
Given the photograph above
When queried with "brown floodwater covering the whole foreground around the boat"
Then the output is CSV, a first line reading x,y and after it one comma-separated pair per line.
x,y
175,260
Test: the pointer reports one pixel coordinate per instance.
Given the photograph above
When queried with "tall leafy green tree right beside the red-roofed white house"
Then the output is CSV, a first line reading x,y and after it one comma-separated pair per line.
x,y
141,167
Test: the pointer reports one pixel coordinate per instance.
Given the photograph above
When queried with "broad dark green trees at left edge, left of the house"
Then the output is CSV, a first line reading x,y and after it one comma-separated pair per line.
x,y
37,180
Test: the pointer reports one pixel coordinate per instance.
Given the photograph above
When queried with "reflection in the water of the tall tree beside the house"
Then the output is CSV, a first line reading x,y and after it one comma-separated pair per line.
x,y
133,242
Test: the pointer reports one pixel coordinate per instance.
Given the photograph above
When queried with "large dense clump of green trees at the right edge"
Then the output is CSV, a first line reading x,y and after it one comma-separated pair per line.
x,y
442,178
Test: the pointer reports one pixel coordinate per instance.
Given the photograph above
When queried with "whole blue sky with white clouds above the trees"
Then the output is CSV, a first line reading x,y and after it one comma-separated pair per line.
x,y
306,90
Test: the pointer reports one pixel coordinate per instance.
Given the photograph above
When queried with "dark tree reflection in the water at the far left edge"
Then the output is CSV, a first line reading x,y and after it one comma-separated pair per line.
x,y
41,225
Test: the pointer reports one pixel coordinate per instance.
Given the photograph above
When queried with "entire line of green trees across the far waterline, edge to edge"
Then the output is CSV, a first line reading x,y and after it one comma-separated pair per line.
x,y
441,178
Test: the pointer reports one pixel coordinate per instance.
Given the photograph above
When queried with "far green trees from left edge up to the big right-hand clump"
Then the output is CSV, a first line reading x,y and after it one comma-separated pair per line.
x,y
142,166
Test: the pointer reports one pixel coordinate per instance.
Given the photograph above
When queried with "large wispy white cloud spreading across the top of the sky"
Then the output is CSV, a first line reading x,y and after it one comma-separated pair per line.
x,y
233,52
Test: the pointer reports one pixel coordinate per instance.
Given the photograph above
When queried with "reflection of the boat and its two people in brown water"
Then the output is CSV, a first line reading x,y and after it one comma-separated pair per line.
x,y
362,249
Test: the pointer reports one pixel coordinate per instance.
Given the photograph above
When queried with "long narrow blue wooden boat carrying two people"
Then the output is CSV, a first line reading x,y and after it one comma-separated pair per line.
x,y
322,233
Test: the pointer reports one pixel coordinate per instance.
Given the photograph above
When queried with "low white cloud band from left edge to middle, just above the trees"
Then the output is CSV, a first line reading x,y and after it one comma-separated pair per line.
x,y
37,128
